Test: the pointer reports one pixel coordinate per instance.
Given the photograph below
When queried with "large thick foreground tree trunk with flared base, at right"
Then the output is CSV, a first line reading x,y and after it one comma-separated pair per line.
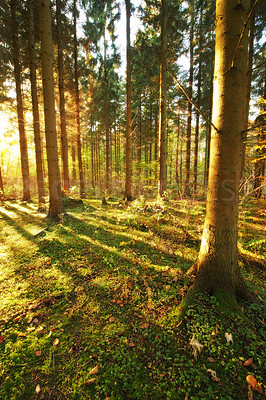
x,y
216,268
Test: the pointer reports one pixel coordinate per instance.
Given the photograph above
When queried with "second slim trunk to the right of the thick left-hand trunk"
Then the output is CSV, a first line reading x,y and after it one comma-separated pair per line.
x,y
81,178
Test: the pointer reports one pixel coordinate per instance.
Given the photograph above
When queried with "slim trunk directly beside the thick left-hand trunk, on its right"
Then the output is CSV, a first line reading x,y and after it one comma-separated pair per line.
x,y
61,87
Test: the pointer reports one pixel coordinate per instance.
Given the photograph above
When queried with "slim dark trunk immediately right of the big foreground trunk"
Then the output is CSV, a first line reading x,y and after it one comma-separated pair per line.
x,y
248,89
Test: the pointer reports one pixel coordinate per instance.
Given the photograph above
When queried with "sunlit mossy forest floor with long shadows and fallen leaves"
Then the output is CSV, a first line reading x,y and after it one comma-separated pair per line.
x,y
89,305
